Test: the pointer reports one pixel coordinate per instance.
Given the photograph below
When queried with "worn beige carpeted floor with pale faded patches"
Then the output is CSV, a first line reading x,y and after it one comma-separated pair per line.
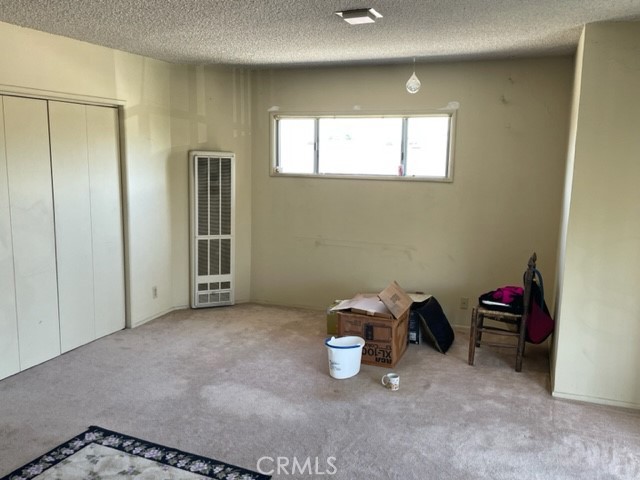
x,y
251,382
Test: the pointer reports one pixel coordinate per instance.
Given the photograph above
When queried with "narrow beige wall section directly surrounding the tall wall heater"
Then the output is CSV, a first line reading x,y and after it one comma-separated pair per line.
x,y
210,111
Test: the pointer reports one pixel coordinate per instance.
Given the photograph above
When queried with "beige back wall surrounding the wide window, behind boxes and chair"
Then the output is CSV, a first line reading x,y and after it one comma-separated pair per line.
x,y
315,240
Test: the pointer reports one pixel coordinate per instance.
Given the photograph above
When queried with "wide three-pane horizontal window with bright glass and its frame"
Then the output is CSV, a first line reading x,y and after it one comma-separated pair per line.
x,y
414,147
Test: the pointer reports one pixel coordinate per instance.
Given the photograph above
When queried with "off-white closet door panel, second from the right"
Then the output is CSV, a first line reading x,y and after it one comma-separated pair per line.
x,y
71,189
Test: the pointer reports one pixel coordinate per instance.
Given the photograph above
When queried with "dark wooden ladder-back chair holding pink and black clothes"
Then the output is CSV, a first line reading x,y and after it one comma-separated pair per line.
x,y
515,324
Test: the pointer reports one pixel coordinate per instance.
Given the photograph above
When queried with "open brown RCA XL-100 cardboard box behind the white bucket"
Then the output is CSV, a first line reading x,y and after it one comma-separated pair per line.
x,y
381,320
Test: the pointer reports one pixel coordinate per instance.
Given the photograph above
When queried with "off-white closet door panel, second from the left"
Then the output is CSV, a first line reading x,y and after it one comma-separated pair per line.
x,y
31,205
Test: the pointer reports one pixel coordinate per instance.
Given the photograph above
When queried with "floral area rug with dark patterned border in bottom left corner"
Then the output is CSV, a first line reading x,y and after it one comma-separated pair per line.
x,y
102,454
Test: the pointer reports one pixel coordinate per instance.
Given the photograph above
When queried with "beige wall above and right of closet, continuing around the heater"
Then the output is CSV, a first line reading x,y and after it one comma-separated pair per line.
x,y
167,110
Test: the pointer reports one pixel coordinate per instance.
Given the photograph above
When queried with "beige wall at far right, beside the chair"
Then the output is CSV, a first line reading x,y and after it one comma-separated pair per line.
x,y
597,354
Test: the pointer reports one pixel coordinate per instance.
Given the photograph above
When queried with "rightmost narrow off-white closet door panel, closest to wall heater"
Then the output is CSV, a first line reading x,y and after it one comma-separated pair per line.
x,y
106,219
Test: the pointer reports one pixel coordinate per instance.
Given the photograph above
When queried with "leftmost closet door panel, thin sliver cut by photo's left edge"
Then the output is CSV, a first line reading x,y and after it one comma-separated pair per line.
x,y
9,354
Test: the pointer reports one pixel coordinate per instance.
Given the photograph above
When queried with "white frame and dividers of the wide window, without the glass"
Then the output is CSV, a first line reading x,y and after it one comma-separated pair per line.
x,y
448,178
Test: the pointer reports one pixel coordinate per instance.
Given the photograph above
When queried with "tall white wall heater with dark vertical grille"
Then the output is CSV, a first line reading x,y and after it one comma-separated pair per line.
x,y
212,228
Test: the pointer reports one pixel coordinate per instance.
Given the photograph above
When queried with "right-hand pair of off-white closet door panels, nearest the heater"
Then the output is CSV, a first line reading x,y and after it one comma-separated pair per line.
x,y
86,185
